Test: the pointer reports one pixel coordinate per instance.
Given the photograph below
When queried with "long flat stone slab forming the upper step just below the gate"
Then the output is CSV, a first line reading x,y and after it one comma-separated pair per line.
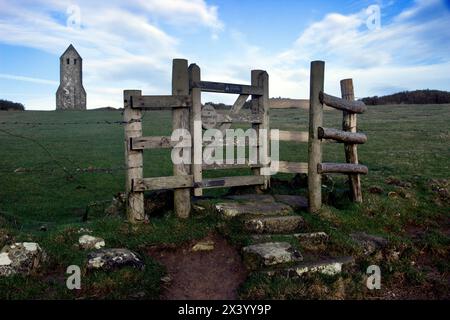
x,y
234,209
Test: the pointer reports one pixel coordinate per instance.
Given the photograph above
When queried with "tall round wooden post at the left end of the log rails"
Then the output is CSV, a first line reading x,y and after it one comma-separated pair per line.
x,y
314,143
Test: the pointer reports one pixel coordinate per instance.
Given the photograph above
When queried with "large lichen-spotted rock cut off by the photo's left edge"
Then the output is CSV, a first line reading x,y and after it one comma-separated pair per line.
x,y
21,258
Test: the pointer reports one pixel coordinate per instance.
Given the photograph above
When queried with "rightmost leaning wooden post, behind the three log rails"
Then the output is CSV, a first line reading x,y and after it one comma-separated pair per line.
x,y
349,123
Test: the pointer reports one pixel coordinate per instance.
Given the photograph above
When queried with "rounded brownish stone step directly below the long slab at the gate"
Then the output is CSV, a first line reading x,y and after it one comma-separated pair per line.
x,y
283,224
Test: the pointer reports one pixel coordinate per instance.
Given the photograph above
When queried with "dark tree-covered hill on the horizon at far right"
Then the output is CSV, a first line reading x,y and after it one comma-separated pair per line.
x,y
411,97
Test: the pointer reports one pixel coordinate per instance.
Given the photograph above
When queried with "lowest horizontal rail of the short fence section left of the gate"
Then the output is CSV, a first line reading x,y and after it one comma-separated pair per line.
x,y
160,183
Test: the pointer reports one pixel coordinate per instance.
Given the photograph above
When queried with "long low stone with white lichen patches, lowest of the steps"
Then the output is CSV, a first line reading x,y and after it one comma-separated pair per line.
x,y
330,266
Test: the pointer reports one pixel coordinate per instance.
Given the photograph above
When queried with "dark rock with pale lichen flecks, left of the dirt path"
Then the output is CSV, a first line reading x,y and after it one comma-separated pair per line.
x,y
110,259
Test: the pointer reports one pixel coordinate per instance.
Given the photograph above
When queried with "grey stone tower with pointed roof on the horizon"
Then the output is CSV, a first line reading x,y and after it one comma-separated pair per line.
x,y
71,94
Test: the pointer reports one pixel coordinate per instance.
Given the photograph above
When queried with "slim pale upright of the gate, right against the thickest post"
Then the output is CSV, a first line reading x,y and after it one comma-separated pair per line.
x,y
196,126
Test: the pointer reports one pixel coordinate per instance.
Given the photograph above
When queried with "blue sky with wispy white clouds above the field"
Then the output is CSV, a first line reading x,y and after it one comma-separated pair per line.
x,y
386,46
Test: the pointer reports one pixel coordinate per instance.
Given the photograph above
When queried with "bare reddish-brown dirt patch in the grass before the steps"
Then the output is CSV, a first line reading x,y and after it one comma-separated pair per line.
x,y
215,274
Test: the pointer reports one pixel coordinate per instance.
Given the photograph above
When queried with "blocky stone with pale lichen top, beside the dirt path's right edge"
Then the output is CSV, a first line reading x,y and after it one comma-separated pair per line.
x,y
269,254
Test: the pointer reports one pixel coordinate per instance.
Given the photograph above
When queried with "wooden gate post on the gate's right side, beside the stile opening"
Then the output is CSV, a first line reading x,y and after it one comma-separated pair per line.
x,y
260,105
